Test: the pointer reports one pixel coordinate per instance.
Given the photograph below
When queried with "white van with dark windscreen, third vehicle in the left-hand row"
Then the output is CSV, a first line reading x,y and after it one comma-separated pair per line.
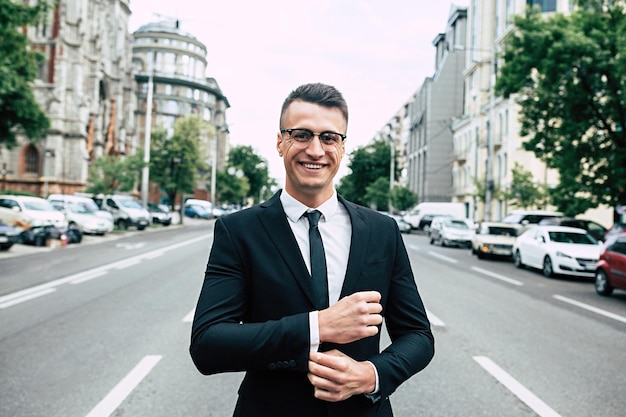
x,y
126,211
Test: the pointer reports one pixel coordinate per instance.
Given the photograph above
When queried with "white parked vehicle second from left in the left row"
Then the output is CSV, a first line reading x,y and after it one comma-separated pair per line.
x,y
83,212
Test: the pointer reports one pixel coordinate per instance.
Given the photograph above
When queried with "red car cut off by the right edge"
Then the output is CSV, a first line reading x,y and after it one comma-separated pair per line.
x,y
611,268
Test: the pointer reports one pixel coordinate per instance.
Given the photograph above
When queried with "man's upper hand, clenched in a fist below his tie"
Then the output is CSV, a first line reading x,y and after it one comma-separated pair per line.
x,y
352,318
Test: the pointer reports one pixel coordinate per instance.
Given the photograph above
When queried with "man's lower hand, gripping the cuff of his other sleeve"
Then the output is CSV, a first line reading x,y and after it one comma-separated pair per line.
x,y
336,376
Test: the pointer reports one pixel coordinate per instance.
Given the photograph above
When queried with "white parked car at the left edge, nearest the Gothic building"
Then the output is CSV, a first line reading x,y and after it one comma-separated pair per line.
x,y
27,211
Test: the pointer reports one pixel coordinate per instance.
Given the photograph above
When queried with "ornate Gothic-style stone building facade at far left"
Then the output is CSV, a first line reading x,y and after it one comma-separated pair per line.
x,y
85,87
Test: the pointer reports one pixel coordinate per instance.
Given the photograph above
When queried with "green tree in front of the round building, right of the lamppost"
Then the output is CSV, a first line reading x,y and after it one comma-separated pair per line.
x,y
175,161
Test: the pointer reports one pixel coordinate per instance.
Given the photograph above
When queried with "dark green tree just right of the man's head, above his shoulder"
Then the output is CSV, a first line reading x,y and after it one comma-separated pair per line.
x,y
367,164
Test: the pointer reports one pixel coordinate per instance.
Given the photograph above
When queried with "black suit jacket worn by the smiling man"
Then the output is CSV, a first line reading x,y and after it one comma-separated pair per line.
x,y
253,312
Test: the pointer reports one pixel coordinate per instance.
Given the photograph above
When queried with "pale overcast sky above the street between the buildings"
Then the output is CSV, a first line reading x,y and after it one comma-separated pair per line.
x,y
376,52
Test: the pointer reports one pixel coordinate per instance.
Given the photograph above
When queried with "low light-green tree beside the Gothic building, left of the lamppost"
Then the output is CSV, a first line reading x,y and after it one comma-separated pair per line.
x,y
111,174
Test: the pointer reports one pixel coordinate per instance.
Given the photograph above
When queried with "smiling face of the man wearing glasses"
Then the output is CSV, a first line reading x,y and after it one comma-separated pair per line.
x,y
310,170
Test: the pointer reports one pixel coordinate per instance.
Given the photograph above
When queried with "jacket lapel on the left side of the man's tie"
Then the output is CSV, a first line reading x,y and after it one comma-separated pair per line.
x,y
275,223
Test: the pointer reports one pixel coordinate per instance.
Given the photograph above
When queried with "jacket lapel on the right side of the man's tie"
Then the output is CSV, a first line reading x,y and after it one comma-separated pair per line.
x,y
359,243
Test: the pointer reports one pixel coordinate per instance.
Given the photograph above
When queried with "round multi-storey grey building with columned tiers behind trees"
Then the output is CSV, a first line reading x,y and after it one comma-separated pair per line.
x,y
175,63
